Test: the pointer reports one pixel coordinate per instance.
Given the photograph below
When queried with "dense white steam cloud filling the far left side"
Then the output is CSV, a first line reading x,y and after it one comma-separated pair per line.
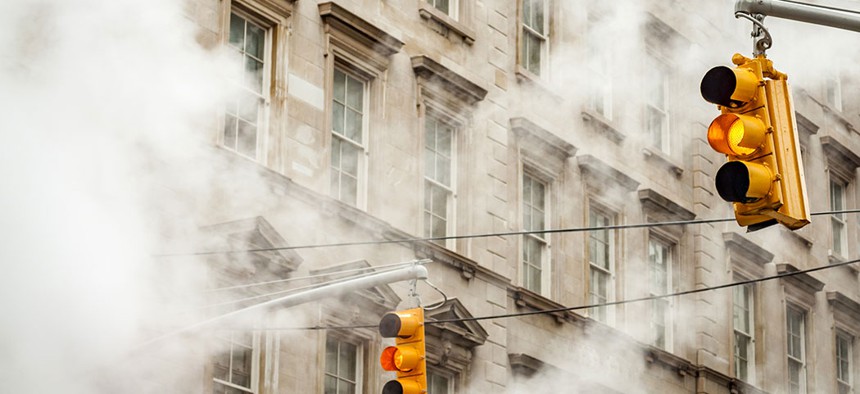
x,y
96,96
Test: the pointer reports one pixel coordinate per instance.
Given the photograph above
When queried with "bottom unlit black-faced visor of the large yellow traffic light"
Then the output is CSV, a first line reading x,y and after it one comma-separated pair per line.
x,y
740,181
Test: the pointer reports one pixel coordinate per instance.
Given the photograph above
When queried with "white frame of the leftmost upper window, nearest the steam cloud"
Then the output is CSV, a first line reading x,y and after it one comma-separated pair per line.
x,y
268,24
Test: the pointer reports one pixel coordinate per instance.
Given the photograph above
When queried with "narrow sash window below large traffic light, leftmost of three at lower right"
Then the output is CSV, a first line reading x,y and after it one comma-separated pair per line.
x,y
744,323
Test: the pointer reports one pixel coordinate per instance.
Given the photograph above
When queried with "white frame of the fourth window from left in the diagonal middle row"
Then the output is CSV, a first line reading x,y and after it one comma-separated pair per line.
x,y
543,240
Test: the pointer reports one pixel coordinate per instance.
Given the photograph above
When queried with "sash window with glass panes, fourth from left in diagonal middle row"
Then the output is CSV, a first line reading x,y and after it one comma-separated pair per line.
x,y
535,245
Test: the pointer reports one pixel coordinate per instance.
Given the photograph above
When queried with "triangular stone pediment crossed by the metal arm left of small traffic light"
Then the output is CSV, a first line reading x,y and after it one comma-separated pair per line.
x,y
377,300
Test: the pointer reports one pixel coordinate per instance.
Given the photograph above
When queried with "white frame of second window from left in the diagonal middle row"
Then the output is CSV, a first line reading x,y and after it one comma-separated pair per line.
x,y
362,146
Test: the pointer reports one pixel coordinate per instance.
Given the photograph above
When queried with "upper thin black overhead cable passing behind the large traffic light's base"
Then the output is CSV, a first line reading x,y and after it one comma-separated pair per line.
x,y
484,235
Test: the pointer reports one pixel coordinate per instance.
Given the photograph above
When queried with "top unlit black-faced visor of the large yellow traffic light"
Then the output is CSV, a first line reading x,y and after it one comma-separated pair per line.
x,y
729,87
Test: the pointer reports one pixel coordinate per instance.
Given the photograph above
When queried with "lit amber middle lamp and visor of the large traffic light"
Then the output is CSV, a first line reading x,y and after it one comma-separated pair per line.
x,y
738,135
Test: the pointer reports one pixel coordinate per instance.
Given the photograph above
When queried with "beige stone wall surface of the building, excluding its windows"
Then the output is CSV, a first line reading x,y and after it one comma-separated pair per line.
x,y
580,353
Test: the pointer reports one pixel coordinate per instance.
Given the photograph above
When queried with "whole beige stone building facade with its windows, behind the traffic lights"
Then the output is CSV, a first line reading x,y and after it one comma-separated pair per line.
x,y
387,120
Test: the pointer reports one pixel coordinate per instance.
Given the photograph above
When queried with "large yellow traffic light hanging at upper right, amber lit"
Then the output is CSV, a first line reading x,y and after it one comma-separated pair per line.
x,y
763,177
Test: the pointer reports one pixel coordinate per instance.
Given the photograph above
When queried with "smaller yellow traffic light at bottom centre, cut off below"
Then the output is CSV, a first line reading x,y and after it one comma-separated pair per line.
x,y
407,357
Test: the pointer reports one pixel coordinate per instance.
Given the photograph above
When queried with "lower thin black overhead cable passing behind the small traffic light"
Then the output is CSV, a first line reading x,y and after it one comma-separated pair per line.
x,y
581,307
